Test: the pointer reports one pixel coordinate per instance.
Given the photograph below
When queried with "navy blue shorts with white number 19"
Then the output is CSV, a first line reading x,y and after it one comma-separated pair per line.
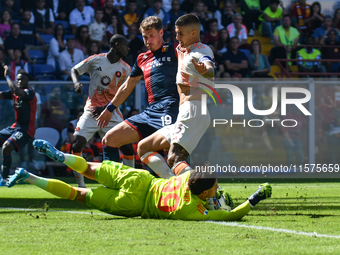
x,y
154,117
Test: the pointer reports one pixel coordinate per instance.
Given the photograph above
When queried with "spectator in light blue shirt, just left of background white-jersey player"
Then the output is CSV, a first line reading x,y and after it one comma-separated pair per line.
x,y
69,58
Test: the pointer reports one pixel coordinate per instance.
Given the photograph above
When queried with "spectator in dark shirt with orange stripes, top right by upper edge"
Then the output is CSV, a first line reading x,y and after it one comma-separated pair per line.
x,y
300,13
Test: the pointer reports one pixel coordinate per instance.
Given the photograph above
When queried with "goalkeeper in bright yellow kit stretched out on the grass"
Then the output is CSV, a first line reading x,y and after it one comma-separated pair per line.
x,y
130,192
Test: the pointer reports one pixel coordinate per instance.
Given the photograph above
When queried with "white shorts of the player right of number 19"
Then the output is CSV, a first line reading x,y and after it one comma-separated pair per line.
x,y
189,127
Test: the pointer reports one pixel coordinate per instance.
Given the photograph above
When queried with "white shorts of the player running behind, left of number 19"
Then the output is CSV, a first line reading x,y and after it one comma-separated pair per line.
x,y
87,125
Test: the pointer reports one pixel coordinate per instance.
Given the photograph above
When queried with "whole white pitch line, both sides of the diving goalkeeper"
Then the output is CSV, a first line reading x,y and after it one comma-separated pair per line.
x,y
231,224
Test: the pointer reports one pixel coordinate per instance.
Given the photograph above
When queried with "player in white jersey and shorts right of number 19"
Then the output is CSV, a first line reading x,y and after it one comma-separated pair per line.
x,y
195,70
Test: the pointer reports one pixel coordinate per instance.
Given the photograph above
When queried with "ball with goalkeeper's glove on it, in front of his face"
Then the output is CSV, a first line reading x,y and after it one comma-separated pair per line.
x,y
222,201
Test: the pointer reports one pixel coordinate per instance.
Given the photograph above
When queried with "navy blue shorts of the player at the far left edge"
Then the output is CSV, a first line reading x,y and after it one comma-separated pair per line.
x,y
16,136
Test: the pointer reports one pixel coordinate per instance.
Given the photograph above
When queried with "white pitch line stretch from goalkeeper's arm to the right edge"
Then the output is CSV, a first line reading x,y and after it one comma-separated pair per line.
x,y
280,230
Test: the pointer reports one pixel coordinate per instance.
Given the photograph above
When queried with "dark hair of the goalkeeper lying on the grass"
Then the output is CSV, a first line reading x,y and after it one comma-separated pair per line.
x,y
200,181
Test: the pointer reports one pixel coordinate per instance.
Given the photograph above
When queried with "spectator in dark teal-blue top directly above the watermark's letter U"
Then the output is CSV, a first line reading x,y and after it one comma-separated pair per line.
x,y
259,66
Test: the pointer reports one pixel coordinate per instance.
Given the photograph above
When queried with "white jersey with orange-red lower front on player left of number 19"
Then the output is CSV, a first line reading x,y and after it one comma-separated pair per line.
x,y
106,78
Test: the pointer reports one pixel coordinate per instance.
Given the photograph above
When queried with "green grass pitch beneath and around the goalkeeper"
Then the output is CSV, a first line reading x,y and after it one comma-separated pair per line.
x,y
302,217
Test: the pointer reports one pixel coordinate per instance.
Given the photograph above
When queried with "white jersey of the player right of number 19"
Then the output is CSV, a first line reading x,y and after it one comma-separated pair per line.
x,y
187,73
